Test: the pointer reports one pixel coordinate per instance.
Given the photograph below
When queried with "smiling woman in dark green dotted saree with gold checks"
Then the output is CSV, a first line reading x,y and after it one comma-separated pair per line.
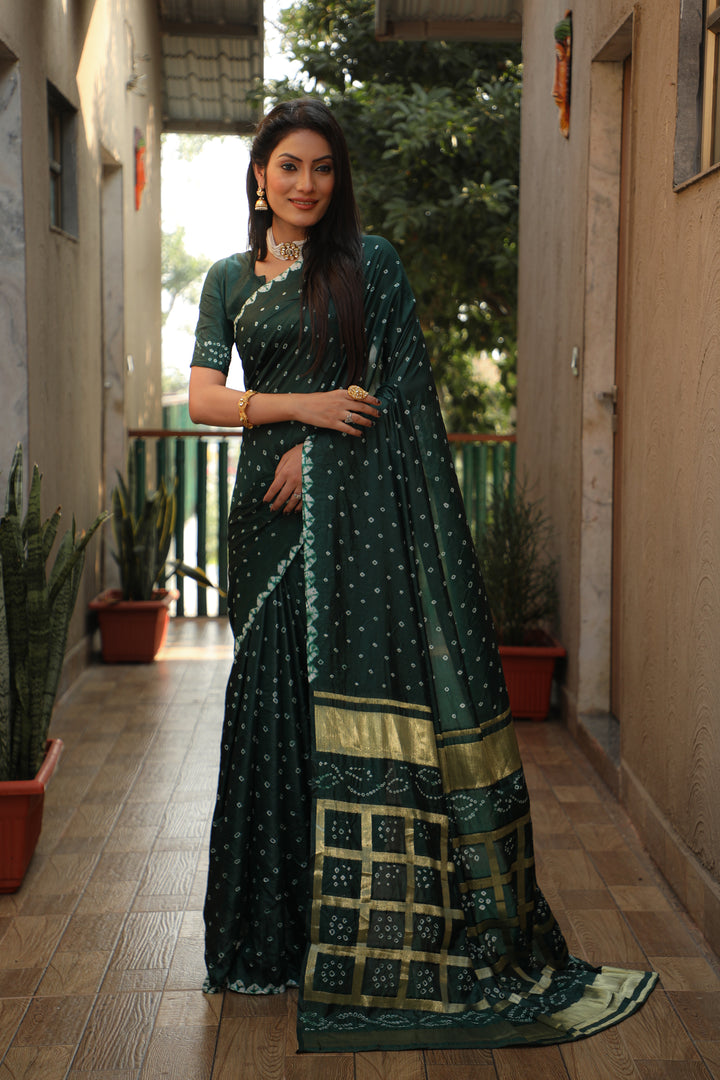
x,y
372,841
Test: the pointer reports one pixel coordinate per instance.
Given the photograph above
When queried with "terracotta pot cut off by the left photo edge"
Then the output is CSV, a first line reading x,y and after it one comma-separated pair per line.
x,y
21,819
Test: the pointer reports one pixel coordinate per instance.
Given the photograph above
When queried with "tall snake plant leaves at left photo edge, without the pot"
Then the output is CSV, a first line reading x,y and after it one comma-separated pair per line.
x,y
35,616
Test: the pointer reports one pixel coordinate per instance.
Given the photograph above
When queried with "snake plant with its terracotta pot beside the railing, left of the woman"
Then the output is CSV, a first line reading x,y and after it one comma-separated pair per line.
x,y
134,619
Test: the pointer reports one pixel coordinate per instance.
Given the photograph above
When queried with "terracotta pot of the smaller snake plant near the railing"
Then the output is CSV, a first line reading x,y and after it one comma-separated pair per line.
x,y
133,631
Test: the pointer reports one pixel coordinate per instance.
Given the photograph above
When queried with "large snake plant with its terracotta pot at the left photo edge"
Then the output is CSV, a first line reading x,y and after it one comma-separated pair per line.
x,y
35,616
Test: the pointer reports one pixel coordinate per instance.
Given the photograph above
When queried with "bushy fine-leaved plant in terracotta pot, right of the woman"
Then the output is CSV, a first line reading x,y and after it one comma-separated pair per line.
x,y
521,580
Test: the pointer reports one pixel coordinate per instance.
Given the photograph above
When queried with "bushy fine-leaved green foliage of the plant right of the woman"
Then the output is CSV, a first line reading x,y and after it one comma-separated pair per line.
x,y
520,574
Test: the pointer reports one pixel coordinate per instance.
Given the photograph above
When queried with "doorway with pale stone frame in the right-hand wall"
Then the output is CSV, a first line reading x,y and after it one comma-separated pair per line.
x,y
600,656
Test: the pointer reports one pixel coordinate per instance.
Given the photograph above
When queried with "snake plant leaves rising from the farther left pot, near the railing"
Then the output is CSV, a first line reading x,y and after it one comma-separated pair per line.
x,y
143,542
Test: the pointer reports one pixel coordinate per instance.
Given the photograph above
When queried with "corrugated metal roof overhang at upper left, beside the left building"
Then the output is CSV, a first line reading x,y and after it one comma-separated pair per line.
x,y
212,57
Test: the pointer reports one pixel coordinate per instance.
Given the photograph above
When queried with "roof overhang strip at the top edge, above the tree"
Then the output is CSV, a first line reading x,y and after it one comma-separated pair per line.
x,y
474,20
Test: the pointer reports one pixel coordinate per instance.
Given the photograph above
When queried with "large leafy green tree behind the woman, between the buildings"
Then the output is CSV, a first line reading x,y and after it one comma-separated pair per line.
x,y
433,131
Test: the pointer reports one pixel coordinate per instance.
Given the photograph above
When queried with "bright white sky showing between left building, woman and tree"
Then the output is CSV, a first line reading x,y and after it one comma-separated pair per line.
x,y
207,197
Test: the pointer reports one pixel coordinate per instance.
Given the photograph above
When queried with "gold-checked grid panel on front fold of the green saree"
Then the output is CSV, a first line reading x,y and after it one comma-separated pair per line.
x,y
384,922
